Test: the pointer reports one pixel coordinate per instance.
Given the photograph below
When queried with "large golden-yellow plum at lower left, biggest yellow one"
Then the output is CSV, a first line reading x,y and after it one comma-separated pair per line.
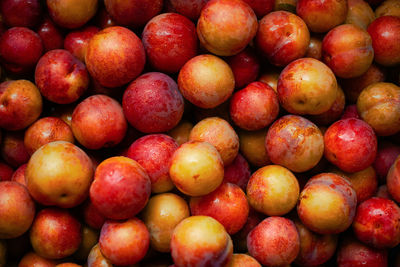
x,y
64,183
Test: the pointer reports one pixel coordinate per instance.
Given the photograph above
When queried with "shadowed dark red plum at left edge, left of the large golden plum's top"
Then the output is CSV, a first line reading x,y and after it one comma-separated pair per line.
x,y
13,149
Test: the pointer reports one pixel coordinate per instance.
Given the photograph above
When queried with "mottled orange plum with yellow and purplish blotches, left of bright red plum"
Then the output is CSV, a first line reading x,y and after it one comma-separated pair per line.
x,y
294,142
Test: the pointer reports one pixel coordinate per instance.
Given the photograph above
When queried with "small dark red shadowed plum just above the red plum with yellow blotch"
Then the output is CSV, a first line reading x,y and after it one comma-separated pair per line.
x,y
52,37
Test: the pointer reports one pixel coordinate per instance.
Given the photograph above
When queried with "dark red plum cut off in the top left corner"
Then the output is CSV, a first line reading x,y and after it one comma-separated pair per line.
x,y
21,13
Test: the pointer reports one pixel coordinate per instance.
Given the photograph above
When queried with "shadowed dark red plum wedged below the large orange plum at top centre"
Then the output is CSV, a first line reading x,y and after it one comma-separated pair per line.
x,y
245,67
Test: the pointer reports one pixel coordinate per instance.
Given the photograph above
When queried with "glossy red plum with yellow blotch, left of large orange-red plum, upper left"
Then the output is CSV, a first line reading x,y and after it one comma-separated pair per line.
x,y
61,77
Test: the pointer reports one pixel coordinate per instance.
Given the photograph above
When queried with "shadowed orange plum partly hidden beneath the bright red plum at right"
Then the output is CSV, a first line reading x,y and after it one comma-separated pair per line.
x,y
364,182
